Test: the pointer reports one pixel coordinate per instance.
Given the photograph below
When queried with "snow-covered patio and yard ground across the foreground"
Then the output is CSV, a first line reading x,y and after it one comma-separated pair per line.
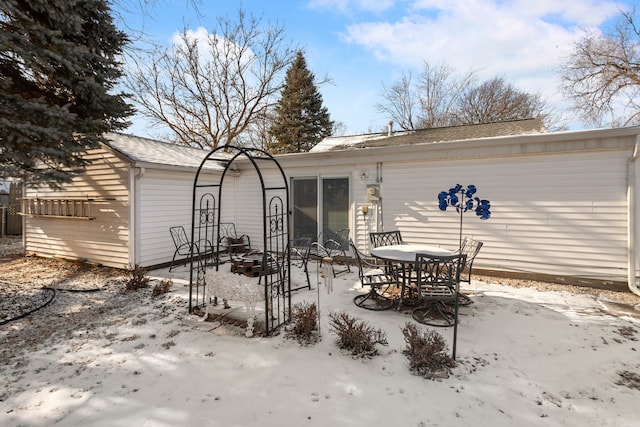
x,y
525,357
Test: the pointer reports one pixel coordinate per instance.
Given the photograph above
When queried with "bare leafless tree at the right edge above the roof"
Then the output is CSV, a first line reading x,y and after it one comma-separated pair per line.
x,y
602,74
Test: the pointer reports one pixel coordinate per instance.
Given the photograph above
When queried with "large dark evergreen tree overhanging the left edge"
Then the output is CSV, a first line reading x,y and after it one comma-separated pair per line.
x,y
58,64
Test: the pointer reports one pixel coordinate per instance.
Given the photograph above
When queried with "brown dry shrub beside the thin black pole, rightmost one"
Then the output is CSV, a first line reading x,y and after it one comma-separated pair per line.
x,y
427,353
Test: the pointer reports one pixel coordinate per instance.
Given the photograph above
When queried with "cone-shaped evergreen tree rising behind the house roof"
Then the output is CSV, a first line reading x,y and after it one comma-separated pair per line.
x,y
301,120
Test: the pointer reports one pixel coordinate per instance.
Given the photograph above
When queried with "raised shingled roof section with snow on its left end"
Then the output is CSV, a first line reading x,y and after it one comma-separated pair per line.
x,y
422,136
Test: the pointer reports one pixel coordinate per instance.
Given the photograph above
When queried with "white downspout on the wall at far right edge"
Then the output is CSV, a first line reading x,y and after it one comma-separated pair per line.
x,y
631,219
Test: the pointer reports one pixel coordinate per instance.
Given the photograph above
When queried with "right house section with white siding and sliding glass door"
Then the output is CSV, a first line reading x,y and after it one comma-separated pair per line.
x,y
563,204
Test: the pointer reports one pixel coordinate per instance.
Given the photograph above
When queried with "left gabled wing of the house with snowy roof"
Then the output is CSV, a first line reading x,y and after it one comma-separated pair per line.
x,y
137,188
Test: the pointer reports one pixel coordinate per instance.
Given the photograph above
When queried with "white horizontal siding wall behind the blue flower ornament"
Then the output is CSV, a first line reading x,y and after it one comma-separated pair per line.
x,y
563,214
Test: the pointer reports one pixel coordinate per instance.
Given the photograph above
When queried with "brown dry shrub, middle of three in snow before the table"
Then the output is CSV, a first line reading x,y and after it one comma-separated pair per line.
x,y
356,336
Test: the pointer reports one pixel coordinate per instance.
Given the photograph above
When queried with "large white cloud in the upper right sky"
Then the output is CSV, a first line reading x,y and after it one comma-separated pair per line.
x,y
523,40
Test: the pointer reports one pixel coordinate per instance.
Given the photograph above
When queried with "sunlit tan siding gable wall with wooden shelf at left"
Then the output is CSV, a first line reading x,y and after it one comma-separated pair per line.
x,y
104,239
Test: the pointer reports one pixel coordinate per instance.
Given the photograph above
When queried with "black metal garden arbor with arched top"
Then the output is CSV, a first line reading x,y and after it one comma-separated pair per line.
x,y
207,208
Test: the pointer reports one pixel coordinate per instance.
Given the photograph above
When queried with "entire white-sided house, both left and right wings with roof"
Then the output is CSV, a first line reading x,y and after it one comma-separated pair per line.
x,y
563,205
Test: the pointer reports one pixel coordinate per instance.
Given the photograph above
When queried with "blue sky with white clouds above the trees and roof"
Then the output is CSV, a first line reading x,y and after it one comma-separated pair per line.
x,y
361,44
